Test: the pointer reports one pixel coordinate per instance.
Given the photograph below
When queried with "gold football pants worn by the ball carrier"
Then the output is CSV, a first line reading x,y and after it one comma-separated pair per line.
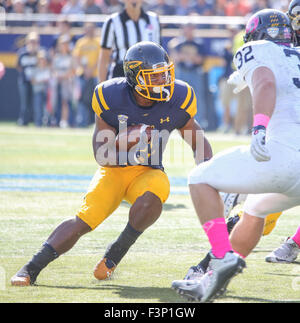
x,y
111,185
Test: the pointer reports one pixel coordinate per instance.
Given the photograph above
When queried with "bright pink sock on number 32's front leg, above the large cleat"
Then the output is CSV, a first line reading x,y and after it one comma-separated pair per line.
x,y
216,231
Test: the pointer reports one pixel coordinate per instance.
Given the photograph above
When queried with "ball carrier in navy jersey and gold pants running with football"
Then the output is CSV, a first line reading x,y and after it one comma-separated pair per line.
x,y
147,95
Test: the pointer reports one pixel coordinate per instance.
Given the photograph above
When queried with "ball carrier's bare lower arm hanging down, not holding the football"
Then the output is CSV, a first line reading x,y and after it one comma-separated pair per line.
x,y
193,134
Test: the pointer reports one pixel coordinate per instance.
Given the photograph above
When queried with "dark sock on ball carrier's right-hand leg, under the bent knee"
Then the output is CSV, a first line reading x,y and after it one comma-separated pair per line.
x,y
118,249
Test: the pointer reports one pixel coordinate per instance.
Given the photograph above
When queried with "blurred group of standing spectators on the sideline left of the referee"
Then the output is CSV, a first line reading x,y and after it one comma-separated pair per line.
x,y
56,85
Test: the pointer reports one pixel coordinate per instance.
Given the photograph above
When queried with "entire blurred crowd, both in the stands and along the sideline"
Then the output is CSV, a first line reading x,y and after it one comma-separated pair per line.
x,y
56,84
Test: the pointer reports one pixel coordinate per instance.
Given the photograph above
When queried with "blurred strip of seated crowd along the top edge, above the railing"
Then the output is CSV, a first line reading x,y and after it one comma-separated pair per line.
x,y
162,7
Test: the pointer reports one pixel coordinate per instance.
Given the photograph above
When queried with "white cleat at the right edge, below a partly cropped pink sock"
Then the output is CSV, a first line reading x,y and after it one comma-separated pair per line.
x,y
286,253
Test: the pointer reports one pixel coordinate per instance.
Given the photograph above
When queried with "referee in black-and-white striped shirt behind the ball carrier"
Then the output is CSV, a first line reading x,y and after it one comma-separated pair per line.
x,y
122,30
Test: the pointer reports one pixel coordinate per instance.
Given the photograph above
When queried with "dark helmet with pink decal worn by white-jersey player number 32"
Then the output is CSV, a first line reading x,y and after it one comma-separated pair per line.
x,y
269,24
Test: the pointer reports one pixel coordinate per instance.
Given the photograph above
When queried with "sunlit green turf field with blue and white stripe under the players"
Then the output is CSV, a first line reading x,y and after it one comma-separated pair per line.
x,y
163,253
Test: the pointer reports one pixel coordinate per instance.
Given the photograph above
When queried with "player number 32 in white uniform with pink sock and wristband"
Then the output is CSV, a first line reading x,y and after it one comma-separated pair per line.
x,y
268,170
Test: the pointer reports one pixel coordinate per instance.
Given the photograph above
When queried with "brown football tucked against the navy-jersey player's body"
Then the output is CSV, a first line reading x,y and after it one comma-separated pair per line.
x,y
130,136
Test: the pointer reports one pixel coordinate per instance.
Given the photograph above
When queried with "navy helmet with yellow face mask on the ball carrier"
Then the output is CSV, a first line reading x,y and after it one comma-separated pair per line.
x,y
149,71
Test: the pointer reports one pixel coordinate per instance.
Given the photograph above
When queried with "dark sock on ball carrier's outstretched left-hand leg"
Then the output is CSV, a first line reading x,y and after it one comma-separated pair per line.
x,y
39,261
